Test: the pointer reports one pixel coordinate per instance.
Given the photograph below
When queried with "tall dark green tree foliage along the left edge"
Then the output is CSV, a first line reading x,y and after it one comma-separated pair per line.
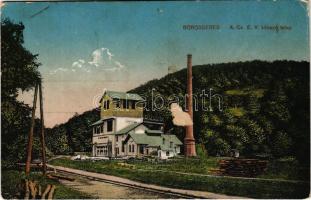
x,y
19,70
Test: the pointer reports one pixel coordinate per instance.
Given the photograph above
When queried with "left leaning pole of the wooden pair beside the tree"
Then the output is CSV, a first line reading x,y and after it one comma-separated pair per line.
x,y
30,135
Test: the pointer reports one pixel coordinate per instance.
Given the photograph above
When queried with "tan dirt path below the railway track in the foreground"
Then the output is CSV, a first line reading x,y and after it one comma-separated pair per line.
x,y
103,190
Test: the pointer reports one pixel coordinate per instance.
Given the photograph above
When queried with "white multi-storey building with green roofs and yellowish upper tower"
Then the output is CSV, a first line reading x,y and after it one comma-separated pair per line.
x,y
122,131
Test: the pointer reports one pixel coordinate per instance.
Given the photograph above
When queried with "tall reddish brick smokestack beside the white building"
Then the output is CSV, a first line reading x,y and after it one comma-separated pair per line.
x,y
189,139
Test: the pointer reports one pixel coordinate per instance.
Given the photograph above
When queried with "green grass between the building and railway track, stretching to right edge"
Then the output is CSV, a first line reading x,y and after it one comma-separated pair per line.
x,y
224,185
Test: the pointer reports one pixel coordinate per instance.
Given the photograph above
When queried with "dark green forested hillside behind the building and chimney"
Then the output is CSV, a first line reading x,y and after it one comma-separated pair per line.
x,y
265,110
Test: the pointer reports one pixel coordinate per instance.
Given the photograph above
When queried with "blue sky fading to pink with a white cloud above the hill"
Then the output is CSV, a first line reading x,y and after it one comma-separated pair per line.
x,y
87,47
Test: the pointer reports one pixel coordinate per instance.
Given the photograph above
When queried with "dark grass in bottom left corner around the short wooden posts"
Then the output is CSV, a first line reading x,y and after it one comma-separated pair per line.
x,y
11,186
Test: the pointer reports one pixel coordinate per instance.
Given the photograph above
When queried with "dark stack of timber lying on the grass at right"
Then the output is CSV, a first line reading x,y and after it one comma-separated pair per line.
x,y
241,167
